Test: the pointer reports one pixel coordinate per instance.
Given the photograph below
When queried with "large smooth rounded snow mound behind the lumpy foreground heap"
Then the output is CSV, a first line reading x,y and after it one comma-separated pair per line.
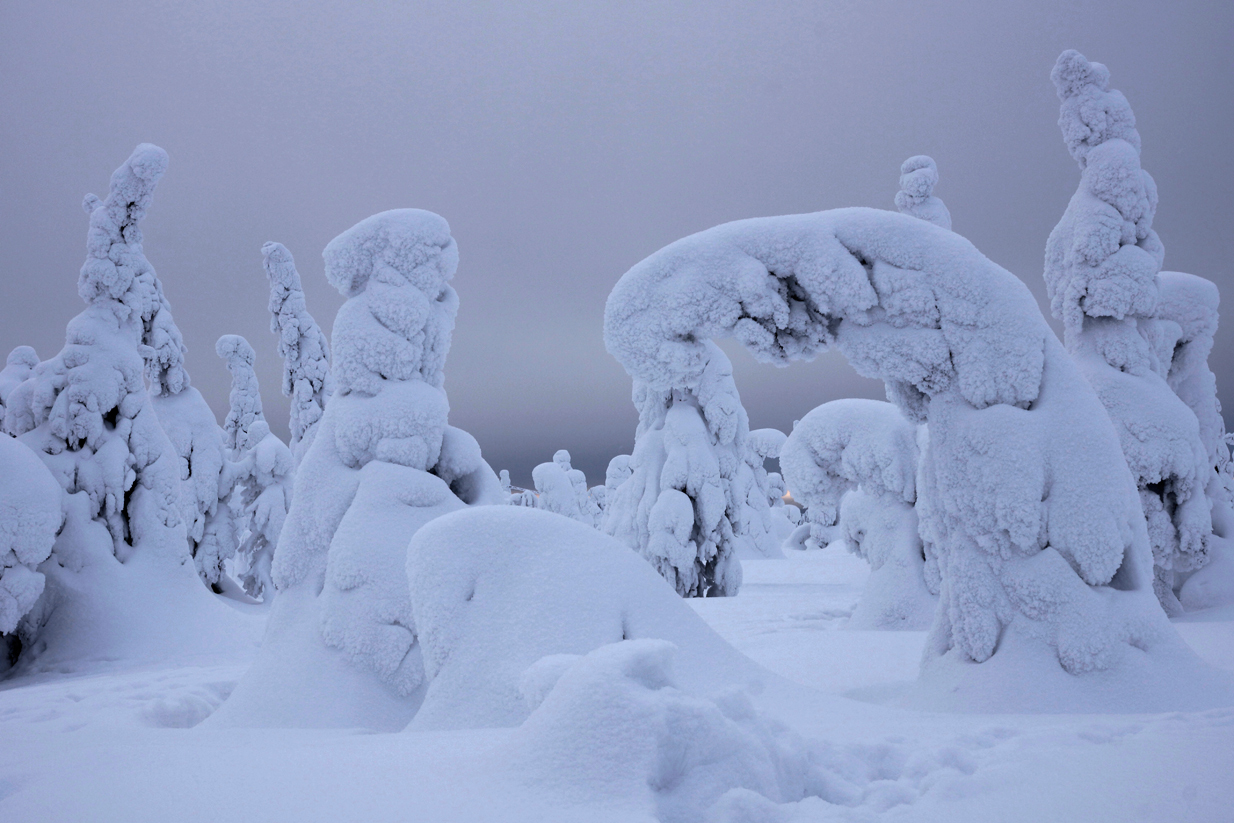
x,y
497,589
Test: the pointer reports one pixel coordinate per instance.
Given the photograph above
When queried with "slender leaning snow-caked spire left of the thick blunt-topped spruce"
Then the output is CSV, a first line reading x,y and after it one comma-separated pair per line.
x,y
303,346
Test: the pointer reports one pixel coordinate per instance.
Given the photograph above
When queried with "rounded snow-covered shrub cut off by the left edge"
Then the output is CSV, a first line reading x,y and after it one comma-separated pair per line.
x,y
31,514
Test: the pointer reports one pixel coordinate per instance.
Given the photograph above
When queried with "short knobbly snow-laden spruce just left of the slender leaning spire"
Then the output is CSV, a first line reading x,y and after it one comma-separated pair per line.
x,y
261,471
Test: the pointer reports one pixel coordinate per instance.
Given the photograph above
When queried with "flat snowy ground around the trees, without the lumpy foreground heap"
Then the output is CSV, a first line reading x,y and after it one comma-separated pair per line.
x,y
119,745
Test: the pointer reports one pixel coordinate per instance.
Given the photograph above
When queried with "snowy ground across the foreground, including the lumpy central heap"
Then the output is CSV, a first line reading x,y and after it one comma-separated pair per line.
x,y
124,737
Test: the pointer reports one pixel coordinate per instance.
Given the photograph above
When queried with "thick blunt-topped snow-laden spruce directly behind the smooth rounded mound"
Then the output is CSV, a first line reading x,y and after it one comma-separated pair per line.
x,y
341,648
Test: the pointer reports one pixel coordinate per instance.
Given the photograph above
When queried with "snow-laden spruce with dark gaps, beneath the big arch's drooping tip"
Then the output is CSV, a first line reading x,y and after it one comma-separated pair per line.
x,y
694,500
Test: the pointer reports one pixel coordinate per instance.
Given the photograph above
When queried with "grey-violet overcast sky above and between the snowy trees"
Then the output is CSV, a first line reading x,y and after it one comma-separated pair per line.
x,y
565,143
